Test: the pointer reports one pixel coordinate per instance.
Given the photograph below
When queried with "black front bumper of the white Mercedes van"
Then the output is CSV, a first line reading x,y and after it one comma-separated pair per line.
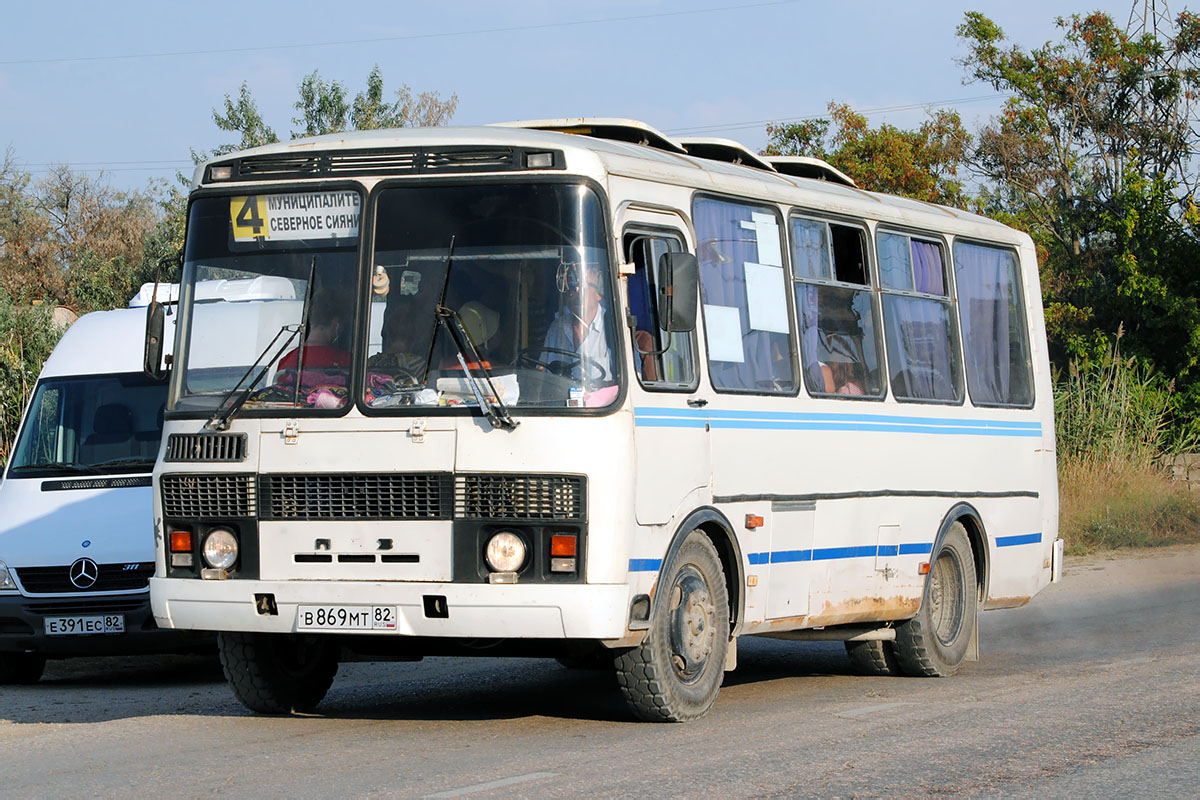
x,y
23,628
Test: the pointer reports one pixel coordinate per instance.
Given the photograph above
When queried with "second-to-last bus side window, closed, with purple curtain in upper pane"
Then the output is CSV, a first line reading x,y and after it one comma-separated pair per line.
x,y
917,318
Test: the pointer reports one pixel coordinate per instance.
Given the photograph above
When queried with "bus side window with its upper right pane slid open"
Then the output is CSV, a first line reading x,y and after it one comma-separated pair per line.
x,y
839,344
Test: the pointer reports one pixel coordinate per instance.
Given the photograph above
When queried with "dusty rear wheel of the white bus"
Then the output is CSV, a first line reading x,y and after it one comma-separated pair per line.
x,y
934,643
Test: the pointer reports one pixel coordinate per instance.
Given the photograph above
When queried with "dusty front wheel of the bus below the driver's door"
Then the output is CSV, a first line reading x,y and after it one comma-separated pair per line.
x,y
676,673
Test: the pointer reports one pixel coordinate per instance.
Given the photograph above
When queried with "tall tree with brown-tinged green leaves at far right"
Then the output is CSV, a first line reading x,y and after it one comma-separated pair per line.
x,y
1102,187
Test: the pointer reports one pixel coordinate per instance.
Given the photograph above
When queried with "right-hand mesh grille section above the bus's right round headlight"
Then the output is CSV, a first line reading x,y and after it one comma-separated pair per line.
x,y
520,497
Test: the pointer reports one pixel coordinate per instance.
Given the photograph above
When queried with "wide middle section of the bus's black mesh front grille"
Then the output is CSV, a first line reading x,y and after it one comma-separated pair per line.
x,y
422,496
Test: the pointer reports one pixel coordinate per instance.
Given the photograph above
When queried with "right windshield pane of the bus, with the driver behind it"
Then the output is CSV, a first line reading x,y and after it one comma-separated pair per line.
x,y
525,269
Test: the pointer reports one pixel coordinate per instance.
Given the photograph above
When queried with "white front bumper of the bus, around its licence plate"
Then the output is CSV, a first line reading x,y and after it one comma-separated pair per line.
x,y
434,610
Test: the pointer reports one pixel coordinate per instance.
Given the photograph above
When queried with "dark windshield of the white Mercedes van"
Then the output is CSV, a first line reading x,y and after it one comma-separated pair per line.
x,y
94,425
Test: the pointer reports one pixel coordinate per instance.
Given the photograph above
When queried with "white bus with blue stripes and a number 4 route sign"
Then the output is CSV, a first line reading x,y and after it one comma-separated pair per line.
x,y
579,390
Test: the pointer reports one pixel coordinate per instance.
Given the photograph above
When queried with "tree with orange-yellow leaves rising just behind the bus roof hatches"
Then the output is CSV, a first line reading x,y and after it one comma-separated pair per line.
x,y
923,165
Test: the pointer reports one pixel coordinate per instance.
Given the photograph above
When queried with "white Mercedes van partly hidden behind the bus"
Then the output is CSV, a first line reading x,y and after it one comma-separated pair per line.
x,y
76,528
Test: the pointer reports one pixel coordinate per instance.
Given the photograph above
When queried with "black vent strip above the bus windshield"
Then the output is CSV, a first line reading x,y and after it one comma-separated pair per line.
x,y
392,161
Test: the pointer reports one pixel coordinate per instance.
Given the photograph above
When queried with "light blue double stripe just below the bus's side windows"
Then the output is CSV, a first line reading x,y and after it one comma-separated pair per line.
x,y
665,418
